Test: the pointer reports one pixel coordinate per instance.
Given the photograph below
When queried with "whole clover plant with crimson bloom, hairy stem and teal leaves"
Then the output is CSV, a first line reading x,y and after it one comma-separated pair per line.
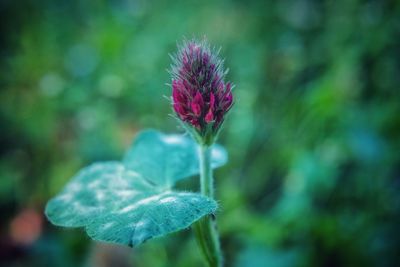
x,y
133,200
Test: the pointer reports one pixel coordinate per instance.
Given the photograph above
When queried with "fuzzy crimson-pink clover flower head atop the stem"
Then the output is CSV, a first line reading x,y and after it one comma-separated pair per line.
x,y
200,96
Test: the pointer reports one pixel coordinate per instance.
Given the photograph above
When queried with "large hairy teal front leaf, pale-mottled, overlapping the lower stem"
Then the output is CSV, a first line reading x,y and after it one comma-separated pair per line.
x,y
117,205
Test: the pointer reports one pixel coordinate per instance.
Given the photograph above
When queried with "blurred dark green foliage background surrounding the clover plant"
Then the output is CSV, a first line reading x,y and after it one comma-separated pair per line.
x,y
313,139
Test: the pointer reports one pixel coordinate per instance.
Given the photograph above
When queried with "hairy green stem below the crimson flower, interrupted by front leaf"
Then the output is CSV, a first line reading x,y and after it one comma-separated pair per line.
x,y
205,229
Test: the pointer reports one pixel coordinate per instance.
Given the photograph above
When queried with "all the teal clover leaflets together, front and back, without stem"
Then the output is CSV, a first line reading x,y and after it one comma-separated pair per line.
x,y
125,203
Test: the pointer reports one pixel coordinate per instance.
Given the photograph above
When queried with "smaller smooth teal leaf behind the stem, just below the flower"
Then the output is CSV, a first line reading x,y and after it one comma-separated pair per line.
x,y
165,159
